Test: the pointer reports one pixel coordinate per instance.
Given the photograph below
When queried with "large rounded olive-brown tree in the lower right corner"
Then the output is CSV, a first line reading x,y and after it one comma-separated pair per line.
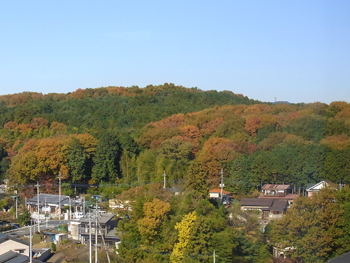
x,y
311,226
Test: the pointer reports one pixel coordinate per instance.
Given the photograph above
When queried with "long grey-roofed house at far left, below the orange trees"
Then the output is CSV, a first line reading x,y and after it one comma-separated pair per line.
x,y
49,203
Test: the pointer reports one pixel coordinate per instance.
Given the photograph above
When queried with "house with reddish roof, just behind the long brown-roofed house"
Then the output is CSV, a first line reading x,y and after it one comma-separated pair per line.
x,y
278,191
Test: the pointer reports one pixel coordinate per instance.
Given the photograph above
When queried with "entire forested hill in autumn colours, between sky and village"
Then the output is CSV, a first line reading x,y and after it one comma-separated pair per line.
x,y
132,135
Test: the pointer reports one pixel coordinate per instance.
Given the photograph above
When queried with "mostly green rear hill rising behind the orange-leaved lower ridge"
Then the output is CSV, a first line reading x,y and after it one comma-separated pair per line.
x,y
112,107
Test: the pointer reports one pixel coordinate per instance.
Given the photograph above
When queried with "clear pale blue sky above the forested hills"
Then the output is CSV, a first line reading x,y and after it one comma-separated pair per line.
x,y
297,51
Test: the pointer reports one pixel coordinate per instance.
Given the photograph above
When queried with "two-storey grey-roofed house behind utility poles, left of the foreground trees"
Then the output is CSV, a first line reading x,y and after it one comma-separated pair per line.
x,y
80,228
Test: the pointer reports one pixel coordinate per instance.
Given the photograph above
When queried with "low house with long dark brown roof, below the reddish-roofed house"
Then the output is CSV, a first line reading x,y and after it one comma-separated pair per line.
x,y
268,208
